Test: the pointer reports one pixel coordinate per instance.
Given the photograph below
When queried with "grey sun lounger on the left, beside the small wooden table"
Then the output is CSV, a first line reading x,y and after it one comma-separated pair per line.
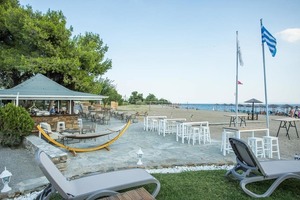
x,y
93,186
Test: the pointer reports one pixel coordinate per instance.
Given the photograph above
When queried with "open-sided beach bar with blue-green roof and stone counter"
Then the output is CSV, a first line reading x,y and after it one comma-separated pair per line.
x,y
40,88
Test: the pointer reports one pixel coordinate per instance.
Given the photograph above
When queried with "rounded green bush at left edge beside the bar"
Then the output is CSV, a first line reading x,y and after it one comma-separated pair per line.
x,y
15,124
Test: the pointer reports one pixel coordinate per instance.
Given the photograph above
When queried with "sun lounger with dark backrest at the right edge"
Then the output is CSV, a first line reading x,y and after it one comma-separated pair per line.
x,y
249,170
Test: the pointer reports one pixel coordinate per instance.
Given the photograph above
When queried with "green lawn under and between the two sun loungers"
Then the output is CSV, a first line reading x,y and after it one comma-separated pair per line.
x,y
214,185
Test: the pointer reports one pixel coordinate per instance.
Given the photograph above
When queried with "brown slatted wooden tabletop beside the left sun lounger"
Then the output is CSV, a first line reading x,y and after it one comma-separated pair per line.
x,y
137,194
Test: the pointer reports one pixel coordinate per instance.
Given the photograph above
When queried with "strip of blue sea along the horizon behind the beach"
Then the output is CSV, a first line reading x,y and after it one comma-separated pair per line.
x,y
244,108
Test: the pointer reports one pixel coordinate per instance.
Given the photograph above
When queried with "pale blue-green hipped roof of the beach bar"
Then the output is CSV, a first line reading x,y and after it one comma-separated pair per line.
x,y
41,87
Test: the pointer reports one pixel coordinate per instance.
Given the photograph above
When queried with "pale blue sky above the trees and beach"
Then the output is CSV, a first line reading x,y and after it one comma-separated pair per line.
x,y
185,51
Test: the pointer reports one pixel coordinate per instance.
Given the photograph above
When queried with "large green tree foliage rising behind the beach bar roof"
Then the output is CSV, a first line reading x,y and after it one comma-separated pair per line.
x,y
33,42
